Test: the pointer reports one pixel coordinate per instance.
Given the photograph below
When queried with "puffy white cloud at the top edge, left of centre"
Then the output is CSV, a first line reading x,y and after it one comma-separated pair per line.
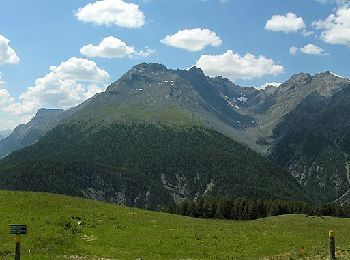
x,y
112,12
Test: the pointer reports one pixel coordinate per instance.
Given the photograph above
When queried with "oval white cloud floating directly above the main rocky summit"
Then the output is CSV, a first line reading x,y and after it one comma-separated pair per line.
x,y
192,39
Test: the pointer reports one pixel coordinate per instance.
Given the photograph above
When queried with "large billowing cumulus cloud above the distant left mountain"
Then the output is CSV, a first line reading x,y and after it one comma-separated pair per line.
x,y
66,85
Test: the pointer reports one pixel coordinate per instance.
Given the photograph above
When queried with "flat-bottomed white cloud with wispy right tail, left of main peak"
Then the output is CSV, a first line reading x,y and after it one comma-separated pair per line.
x,y
111,47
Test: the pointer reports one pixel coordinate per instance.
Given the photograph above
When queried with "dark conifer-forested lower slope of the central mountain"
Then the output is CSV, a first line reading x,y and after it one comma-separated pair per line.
x,y
144,165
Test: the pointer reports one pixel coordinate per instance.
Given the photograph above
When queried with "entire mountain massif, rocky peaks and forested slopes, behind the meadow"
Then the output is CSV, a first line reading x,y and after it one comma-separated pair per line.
x,y
157,136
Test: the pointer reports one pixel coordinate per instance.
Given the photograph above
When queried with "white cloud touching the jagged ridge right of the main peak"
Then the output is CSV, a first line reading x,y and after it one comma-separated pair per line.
x,y
233,66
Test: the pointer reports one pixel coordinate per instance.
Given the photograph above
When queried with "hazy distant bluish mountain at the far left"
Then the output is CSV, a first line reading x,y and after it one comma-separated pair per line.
x,y
25,135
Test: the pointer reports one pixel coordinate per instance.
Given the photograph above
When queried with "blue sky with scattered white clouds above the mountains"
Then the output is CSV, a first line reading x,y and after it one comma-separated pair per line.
x,y
56,54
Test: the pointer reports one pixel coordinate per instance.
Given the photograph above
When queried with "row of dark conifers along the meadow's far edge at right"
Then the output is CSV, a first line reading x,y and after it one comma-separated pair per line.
x,y
250,209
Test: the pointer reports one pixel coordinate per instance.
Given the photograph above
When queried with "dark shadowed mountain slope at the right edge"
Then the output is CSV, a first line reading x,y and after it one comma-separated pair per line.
x,y
314,144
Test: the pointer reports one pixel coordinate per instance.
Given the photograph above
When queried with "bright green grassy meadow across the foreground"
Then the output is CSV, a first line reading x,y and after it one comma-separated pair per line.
x,y
115,232
